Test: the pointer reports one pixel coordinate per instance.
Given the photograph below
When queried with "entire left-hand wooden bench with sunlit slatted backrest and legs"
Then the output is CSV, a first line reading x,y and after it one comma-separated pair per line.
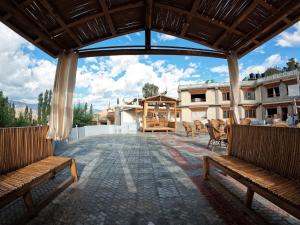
x,y
26,161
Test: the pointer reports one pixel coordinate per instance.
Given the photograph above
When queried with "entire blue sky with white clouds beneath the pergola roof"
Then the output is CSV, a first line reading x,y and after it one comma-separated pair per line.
x,y
26,70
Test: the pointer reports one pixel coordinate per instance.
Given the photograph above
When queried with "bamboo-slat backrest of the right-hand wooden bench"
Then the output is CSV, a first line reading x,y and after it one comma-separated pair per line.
x,y
276,149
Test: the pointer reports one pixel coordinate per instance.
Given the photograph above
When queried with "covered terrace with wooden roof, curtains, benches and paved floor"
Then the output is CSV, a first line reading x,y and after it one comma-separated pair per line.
x,y
148,178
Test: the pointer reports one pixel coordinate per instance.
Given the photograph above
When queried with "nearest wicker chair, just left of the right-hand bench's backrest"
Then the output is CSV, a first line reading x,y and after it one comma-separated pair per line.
x,y
216,133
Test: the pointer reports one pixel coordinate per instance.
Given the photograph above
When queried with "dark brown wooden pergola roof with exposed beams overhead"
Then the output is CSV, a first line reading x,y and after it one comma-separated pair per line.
x,y
223,25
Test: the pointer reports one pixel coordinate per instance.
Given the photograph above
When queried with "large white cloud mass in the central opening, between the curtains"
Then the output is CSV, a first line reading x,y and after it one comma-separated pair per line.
x,y
125,76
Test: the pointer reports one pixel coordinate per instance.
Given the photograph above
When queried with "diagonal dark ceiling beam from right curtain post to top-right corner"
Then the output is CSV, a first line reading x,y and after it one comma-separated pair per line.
x,y
280,14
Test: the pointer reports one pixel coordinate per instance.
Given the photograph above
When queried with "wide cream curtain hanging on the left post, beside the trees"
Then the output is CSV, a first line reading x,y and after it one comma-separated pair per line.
x,y
61,115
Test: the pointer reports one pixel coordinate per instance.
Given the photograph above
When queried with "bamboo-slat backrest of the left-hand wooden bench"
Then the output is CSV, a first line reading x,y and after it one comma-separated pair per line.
x,y
22,146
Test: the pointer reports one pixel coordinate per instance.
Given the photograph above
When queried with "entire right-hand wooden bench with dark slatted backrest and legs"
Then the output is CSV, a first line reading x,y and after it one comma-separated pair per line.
x,y
267,161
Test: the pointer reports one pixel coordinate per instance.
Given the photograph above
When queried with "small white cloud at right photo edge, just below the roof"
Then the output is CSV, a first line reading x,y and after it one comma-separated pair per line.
x,y
290,39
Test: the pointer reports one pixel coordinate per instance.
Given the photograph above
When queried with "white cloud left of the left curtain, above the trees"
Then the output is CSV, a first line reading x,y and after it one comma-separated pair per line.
x,y
22,77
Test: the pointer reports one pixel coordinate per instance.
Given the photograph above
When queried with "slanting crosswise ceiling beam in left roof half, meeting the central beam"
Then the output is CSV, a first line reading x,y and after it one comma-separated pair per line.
x,y
97,15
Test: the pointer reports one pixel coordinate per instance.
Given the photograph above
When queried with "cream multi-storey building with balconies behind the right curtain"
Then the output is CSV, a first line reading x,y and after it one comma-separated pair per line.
x,y
262,98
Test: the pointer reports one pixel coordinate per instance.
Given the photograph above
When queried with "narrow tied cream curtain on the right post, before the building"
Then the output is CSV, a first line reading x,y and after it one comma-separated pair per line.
x,y
234,86
